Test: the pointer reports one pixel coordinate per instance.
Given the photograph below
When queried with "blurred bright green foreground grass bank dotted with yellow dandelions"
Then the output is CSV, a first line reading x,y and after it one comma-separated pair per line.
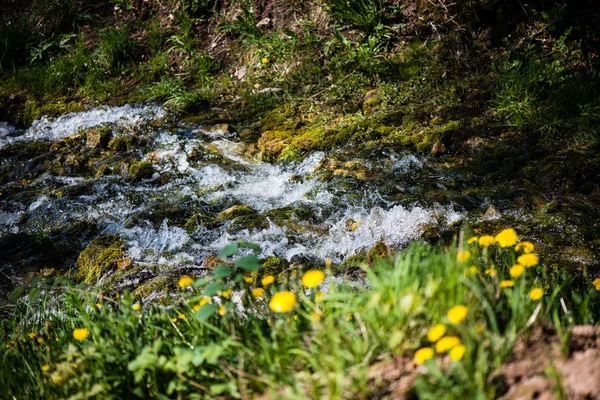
x,y
197,343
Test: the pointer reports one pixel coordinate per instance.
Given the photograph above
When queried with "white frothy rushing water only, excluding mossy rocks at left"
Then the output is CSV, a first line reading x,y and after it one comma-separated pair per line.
x,y
327,218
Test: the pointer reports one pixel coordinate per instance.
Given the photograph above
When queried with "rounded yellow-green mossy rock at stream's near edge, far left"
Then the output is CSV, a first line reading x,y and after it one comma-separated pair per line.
x,y
99,257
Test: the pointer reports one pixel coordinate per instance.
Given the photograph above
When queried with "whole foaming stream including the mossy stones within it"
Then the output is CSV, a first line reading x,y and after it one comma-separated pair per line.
x,y
205,190
